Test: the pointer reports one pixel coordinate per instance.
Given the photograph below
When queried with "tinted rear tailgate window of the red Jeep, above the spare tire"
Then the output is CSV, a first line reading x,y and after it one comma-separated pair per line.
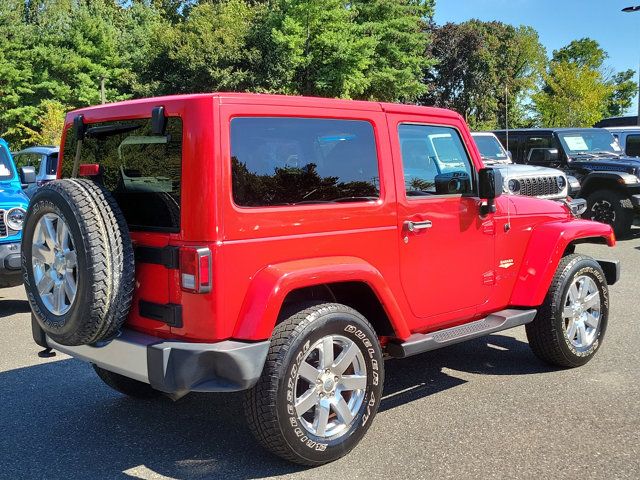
x,y
142,171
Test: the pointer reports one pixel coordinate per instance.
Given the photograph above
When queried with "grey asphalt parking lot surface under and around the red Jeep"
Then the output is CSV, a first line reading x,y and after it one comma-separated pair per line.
x,y
484,409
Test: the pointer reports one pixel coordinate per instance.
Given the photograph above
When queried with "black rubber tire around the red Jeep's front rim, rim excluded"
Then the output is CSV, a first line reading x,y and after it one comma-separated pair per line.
x,y
547,333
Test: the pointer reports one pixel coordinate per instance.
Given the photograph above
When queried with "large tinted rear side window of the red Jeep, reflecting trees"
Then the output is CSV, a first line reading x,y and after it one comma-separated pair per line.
x,y
293,161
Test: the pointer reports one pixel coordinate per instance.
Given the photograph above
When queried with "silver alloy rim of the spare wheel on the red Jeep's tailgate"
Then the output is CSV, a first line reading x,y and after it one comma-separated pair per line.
x,y
55,266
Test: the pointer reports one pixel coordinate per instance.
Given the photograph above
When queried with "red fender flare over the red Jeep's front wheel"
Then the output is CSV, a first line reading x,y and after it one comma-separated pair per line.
x,y
547,244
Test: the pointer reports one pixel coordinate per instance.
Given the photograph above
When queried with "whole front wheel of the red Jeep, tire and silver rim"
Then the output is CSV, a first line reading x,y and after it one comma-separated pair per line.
x,y
570,325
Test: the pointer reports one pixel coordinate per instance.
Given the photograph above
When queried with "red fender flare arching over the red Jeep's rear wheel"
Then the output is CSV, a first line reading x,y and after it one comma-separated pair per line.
x,y
270,286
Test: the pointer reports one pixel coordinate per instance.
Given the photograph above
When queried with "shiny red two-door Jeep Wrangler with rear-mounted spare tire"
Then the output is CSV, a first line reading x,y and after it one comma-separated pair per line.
x,y
286,246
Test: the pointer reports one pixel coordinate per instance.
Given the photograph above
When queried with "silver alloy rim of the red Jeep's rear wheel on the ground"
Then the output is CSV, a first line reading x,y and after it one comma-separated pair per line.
x,y
330,386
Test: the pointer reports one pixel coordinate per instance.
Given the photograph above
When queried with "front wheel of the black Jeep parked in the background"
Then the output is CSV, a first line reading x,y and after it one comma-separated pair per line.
x,y
612,207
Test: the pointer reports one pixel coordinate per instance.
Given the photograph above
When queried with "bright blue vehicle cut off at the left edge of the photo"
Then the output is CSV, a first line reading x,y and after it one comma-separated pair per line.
x,y
13,206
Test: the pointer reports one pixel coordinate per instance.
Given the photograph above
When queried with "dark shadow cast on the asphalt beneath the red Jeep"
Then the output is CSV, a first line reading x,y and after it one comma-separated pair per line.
x,y
59,421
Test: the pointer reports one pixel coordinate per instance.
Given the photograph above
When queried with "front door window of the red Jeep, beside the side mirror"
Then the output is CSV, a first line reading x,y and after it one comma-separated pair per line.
x,y
434,161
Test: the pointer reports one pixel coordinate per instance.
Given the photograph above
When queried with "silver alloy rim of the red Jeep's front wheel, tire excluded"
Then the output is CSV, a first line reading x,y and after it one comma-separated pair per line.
x,y
581,312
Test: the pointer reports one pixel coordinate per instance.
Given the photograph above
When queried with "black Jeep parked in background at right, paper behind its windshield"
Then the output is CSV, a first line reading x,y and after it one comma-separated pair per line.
x,y
609,181
